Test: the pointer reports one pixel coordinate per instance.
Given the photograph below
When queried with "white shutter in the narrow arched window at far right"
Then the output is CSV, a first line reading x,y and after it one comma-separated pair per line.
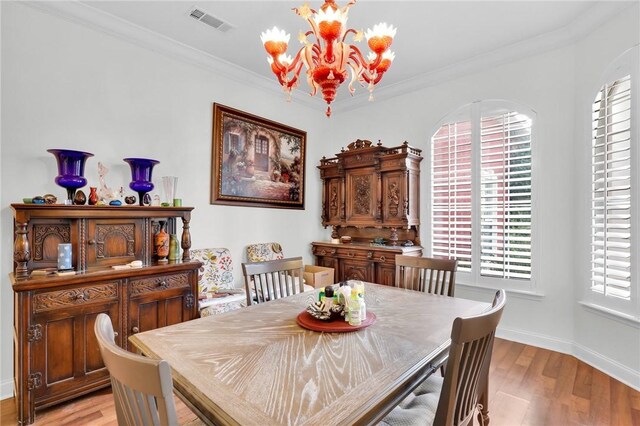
x,y
611,190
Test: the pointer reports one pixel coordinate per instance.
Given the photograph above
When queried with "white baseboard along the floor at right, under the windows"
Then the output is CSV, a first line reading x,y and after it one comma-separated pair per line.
x,y
610,367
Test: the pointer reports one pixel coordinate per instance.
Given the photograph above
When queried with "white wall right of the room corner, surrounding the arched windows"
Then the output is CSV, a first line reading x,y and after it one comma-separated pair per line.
x,y
553,84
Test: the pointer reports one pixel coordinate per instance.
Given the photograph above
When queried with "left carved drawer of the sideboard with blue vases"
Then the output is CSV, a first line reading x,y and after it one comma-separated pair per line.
x,y
77,296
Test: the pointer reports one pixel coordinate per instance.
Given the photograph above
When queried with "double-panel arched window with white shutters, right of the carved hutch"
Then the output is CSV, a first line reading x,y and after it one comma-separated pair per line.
x,y
481,192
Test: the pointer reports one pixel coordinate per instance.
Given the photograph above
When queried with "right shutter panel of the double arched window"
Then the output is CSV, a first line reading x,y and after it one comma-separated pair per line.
x,y
505,196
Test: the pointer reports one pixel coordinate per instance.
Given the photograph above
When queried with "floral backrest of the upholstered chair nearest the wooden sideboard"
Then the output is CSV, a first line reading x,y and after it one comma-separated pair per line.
x,y
216,269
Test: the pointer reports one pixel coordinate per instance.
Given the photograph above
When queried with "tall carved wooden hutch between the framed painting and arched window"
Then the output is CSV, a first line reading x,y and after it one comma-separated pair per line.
x,y
370,193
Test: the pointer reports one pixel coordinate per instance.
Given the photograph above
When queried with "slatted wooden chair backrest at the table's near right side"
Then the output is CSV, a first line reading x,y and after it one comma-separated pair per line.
x,y
468,365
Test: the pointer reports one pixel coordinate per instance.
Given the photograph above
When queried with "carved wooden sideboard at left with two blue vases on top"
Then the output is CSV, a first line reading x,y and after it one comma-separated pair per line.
x,y
56,355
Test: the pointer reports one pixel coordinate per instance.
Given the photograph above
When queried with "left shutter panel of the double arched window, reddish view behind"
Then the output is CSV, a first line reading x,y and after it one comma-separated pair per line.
x,y
451,193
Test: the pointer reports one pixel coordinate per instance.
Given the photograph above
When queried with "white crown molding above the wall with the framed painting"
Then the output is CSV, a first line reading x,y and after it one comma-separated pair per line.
x,y
98,20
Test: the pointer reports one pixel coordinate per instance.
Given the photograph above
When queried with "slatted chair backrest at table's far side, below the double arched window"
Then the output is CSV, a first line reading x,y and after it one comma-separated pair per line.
x,y
436,276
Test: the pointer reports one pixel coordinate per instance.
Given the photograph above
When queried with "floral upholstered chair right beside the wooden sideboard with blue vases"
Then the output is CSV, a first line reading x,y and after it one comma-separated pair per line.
x,y
215,282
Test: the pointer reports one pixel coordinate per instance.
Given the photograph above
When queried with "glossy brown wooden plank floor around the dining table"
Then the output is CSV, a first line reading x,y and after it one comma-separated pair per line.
x,y
529,386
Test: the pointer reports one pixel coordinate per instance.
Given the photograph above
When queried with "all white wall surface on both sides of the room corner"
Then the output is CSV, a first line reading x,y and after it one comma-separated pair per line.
x,y
67,86
